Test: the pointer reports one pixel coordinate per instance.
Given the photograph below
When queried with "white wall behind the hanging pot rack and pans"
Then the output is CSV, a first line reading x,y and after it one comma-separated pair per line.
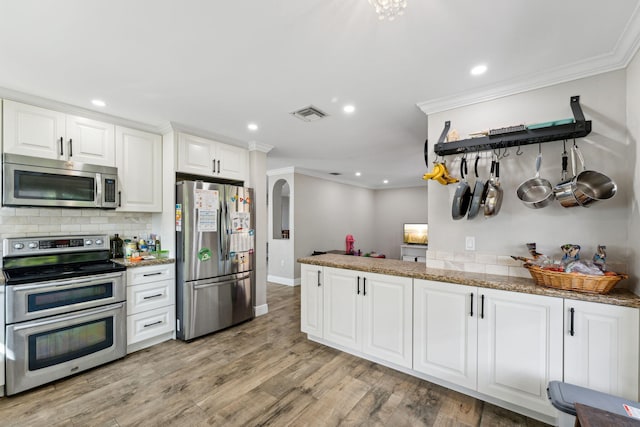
x,y
606,149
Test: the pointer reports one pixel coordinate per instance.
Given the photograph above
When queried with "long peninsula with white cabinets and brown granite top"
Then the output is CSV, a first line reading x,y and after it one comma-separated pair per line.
x,y
497,338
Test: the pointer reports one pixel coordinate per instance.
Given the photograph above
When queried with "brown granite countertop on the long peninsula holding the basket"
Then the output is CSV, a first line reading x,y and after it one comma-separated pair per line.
x,y
417,270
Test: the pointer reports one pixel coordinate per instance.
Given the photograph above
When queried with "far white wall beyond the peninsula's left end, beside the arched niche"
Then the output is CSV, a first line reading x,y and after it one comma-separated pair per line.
x,y
326,211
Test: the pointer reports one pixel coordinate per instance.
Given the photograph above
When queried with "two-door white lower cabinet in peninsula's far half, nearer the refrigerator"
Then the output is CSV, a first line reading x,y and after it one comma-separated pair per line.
x,y
369,313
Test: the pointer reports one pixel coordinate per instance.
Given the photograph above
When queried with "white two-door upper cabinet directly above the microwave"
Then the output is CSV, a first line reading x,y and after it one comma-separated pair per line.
x,y
39,132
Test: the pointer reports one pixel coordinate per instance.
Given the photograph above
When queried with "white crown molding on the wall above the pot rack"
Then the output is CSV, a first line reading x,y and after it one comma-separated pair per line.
x,y
619,58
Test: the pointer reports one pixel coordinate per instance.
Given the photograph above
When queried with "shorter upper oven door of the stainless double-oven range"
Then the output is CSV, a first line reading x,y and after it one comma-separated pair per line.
x,y
36,300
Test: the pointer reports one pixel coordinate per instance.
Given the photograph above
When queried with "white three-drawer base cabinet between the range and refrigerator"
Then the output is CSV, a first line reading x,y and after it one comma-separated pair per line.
x,y
150,305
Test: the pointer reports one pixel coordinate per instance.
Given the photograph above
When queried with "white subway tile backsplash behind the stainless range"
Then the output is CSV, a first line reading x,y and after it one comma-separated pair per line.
x,y
21,222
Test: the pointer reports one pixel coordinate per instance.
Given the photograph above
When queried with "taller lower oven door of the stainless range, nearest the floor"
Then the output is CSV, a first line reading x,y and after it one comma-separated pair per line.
x,y
45,350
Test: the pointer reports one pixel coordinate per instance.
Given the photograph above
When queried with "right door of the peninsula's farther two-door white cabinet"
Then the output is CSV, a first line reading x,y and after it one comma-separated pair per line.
x,y
387,318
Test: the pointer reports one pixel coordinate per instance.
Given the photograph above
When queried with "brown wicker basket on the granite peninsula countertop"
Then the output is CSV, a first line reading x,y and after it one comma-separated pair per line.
x,y
574,282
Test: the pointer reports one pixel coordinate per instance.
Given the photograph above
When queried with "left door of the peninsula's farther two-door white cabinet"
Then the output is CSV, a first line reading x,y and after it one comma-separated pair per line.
x,y
342,307
